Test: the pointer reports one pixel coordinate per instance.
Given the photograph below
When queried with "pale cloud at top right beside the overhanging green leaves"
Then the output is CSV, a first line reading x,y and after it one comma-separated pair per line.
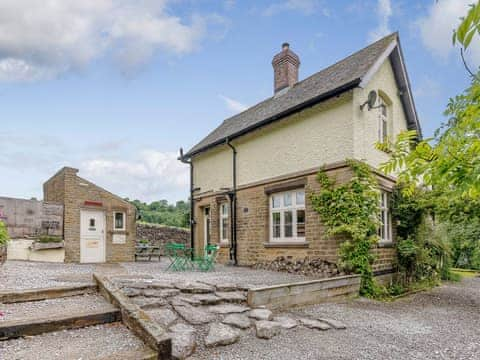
x,y
437,26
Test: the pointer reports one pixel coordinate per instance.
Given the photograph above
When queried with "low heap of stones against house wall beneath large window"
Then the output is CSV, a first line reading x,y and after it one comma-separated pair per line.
x,y
307,266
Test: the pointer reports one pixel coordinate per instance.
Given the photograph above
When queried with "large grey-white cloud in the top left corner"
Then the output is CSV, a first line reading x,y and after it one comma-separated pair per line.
x,y
41,39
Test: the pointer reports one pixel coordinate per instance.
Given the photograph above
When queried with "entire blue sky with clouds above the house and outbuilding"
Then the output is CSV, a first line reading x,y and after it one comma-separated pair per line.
x,y
116,87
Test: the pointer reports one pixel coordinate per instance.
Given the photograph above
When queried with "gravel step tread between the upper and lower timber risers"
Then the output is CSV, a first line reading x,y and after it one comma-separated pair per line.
x,y
52,307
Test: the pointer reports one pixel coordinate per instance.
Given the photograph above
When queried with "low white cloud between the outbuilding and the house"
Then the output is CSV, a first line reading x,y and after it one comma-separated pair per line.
x,y
152,175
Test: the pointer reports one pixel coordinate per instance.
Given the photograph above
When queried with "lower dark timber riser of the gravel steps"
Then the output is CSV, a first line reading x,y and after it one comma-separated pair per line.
x,y
18,328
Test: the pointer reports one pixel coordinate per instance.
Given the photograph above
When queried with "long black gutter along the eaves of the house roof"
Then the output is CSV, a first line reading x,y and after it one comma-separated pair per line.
x,y
305,105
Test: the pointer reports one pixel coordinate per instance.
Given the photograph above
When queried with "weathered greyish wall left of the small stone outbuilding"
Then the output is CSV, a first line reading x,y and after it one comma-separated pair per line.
x,y
30,218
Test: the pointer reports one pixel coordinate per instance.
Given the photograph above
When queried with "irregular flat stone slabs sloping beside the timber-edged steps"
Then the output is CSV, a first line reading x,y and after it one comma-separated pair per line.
x,y
198,314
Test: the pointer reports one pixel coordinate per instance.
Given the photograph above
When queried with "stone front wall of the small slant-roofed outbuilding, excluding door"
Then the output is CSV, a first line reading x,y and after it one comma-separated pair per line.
x,y
73,191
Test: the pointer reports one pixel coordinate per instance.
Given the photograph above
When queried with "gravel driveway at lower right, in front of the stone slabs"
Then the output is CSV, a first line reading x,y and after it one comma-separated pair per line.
x,y
439,324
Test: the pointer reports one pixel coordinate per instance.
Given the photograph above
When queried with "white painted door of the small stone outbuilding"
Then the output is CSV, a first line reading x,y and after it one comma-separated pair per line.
x,y
92,236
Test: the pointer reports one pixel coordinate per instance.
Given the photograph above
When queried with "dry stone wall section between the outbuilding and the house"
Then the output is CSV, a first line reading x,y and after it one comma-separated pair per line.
x,y
160,235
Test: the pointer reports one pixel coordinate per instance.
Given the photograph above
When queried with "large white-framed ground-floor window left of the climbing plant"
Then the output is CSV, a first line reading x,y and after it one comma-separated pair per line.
x,y
287,216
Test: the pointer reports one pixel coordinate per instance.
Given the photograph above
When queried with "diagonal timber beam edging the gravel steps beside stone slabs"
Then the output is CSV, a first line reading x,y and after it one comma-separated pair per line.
x,y
136,319
